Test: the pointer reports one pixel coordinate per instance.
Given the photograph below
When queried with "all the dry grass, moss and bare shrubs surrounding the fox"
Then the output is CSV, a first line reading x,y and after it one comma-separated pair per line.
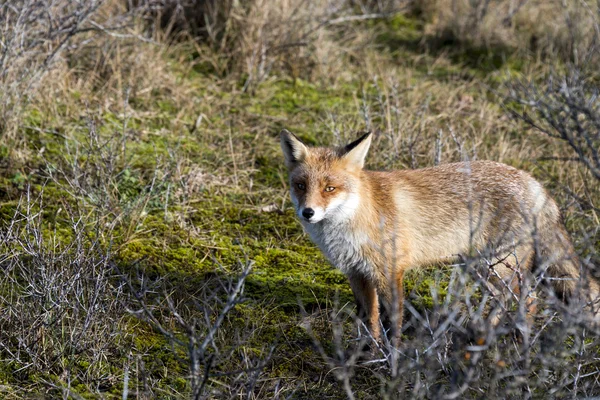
x,y
147,244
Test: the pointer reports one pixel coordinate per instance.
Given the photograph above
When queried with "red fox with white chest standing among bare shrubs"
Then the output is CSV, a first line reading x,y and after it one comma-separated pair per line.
x,y
374,226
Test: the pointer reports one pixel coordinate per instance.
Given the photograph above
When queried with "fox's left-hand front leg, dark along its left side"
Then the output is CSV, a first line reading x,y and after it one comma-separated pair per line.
x,y
367,303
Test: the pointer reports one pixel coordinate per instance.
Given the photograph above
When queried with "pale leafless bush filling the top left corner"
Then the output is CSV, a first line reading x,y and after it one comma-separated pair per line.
x,y
35,37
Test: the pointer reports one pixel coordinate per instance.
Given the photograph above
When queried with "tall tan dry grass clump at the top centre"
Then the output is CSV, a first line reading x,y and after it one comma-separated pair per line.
x,y
301,38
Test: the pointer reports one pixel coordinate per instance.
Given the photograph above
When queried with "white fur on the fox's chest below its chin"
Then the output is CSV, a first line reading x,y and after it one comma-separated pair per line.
x,y
342,246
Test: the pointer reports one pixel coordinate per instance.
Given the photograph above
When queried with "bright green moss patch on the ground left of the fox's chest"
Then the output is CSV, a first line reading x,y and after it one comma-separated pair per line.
x,y
296,272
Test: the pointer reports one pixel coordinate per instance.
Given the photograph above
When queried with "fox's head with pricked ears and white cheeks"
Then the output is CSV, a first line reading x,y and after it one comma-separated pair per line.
x,y
325,183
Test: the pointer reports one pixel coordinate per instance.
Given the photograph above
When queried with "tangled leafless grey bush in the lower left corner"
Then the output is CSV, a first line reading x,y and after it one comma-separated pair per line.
x,y
59,306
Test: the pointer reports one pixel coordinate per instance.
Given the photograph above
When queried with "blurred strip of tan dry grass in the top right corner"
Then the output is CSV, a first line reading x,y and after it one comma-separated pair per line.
x,y
567,30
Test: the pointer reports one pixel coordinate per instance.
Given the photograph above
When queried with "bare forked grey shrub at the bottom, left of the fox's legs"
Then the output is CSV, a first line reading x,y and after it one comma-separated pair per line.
x,y
197,326
